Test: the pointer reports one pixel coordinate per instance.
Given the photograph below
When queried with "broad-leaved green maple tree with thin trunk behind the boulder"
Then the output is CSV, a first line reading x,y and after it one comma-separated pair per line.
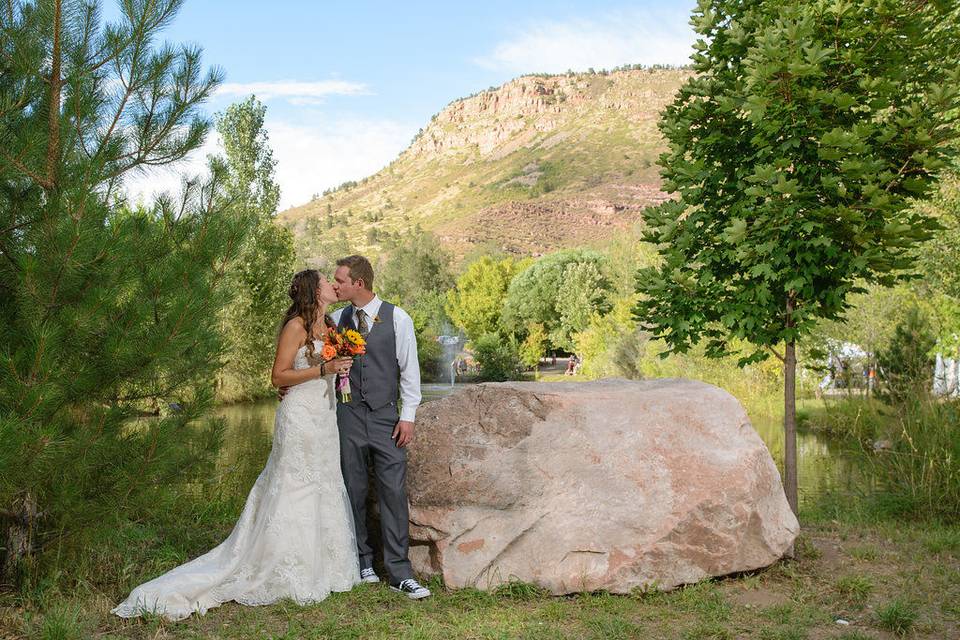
x,y
795,153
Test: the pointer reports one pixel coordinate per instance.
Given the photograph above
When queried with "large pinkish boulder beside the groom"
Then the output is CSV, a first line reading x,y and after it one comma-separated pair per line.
x,y
584,486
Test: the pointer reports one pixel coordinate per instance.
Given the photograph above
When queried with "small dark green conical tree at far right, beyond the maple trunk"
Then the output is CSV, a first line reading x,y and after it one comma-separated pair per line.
x,y
906,364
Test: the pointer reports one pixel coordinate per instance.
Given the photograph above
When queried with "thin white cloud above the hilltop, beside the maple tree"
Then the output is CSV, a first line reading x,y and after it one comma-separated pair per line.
x,y
618,38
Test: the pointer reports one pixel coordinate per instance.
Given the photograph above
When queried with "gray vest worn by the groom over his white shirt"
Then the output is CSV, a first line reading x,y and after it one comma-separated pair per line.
x,y
375,376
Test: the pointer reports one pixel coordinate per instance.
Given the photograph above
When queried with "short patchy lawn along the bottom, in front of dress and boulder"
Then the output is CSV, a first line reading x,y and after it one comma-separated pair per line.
x,y
886,580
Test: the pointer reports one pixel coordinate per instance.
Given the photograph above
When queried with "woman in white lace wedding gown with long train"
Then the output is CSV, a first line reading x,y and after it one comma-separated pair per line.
x,y
295,537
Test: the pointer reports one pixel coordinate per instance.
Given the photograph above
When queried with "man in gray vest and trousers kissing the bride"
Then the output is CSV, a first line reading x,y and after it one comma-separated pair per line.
x,y
371,424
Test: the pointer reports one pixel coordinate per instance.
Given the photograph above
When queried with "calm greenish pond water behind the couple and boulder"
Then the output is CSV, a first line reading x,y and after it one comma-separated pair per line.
x,y
823,465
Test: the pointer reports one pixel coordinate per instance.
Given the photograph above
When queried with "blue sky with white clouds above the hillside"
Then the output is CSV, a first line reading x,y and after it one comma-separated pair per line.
x,y
347,85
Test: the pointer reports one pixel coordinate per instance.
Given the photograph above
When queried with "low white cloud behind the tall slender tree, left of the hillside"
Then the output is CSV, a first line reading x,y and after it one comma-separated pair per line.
x,y
310,157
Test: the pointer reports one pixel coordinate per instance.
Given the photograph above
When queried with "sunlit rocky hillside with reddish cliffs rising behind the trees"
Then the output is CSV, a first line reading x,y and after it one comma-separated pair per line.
x,y
539,163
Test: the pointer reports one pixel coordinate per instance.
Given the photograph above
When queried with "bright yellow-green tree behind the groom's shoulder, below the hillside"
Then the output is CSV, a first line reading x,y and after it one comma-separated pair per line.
x,y
476,302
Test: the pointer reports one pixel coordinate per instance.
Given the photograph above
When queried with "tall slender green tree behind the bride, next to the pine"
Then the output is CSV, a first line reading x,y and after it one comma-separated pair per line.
x,y
261,274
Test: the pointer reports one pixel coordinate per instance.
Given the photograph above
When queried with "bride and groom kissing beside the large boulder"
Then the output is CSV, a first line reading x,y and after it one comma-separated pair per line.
x,y
302,533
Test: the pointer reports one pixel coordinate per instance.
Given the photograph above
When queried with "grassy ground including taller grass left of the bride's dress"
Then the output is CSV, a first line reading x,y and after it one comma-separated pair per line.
x,y
885,575
